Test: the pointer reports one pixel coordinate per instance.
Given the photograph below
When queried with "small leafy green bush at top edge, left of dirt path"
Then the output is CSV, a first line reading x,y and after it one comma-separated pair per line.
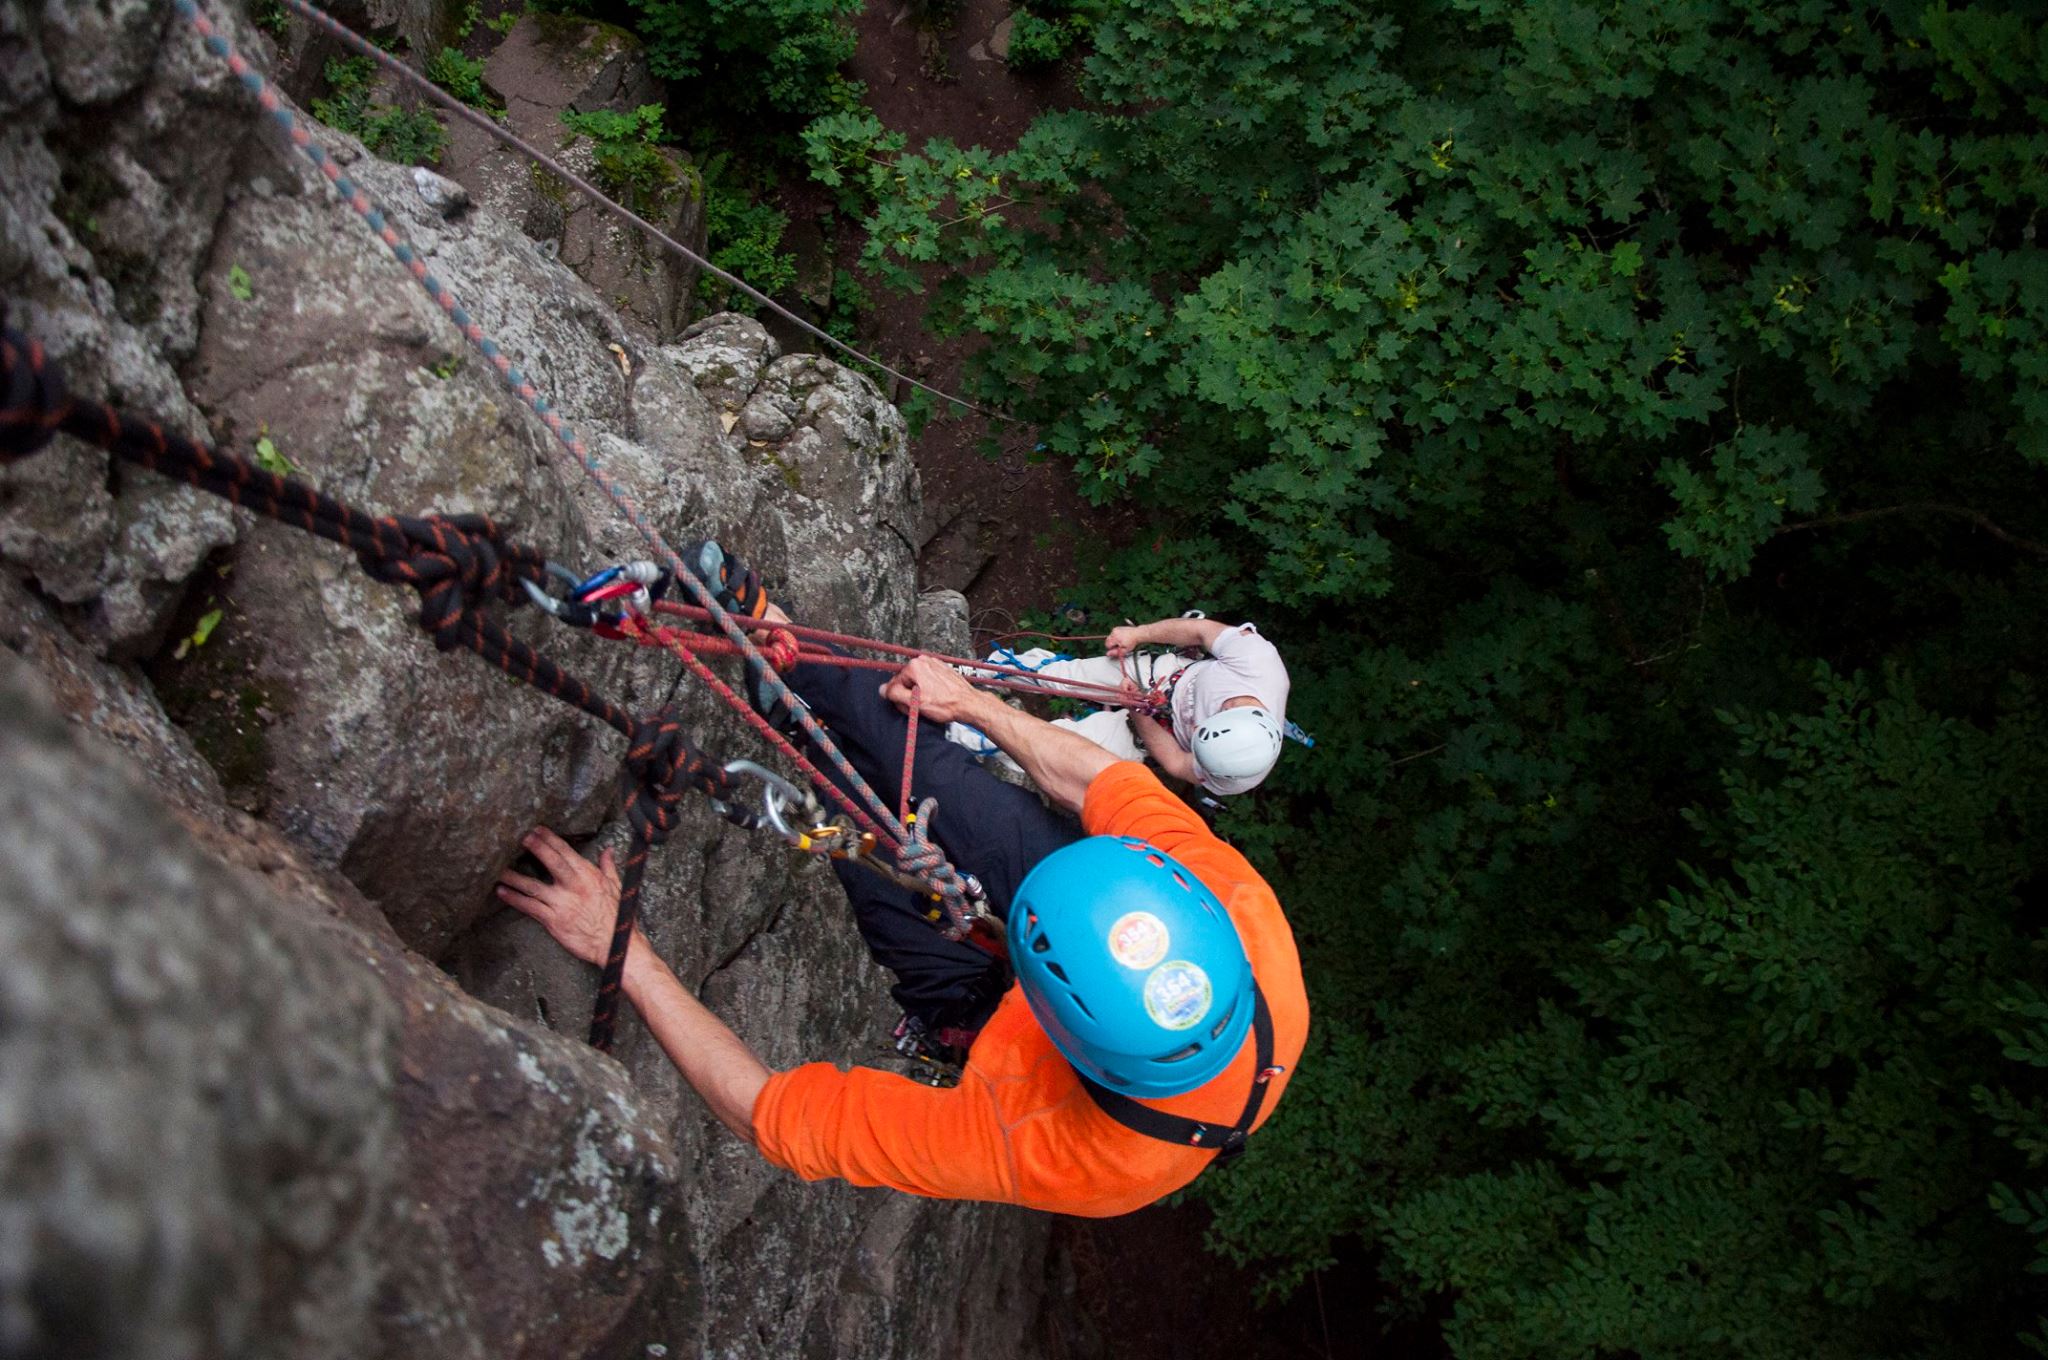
x,y
746,56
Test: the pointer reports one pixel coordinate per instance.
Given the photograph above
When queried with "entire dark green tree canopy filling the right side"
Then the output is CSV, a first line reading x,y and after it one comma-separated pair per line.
x,y
1631,421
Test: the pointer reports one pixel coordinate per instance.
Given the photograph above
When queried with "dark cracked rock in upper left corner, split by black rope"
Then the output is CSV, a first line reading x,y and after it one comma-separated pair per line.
x,y
103,232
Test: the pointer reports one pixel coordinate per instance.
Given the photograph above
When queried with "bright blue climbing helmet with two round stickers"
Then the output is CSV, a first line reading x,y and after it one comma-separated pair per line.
x,y
1132,966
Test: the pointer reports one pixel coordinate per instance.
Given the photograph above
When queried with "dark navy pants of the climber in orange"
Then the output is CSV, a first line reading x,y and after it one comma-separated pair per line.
x,y
988,828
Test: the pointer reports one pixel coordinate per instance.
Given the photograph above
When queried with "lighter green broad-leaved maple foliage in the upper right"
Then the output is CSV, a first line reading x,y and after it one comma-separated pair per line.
x,y
1402,280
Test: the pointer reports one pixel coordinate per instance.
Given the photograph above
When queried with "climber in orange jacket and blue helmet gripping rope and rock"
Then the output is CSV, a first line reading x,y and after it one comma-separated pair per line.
x,y
1154,1023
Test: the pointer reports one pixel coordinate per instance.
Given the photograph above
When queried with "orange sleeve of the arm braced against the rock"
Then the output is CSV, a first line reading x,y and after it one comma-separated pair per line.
x,y
882,1130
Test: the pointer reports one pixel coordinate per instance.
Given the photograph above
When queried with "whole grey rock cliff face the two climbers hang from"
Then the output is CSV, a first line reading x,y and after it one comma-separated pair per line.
x,y
275,1076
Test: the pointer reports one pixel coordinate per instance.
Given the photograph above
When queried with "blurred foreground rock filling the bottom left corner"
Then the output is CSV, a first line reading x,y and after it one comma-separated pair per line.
x,y
243,1119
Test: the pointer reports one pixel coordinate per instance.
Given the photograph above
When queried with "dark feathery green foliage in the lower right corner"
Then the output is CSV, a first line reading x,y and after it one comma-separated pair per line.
x,y
1742,1142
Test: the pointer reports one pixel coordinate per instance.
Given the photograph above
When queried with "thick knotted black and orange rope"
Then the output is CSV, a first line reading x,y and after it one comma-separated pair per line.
x,y
460,566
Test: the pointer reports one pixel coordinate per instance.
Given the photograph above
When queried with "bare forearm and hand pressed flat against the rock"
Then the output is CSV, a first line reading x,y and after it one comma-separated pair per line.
x,y
579,908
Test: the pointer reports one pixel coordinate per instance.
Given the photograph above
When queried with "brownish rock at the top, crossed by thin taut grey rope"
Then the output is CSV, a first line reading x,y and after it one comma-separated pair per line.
x,y
550,67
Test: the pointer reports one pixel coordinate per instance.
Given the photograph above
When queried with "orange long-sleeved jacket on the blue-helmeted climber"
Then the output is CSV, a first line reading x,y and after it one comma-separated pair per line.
x,y
1021,1130
